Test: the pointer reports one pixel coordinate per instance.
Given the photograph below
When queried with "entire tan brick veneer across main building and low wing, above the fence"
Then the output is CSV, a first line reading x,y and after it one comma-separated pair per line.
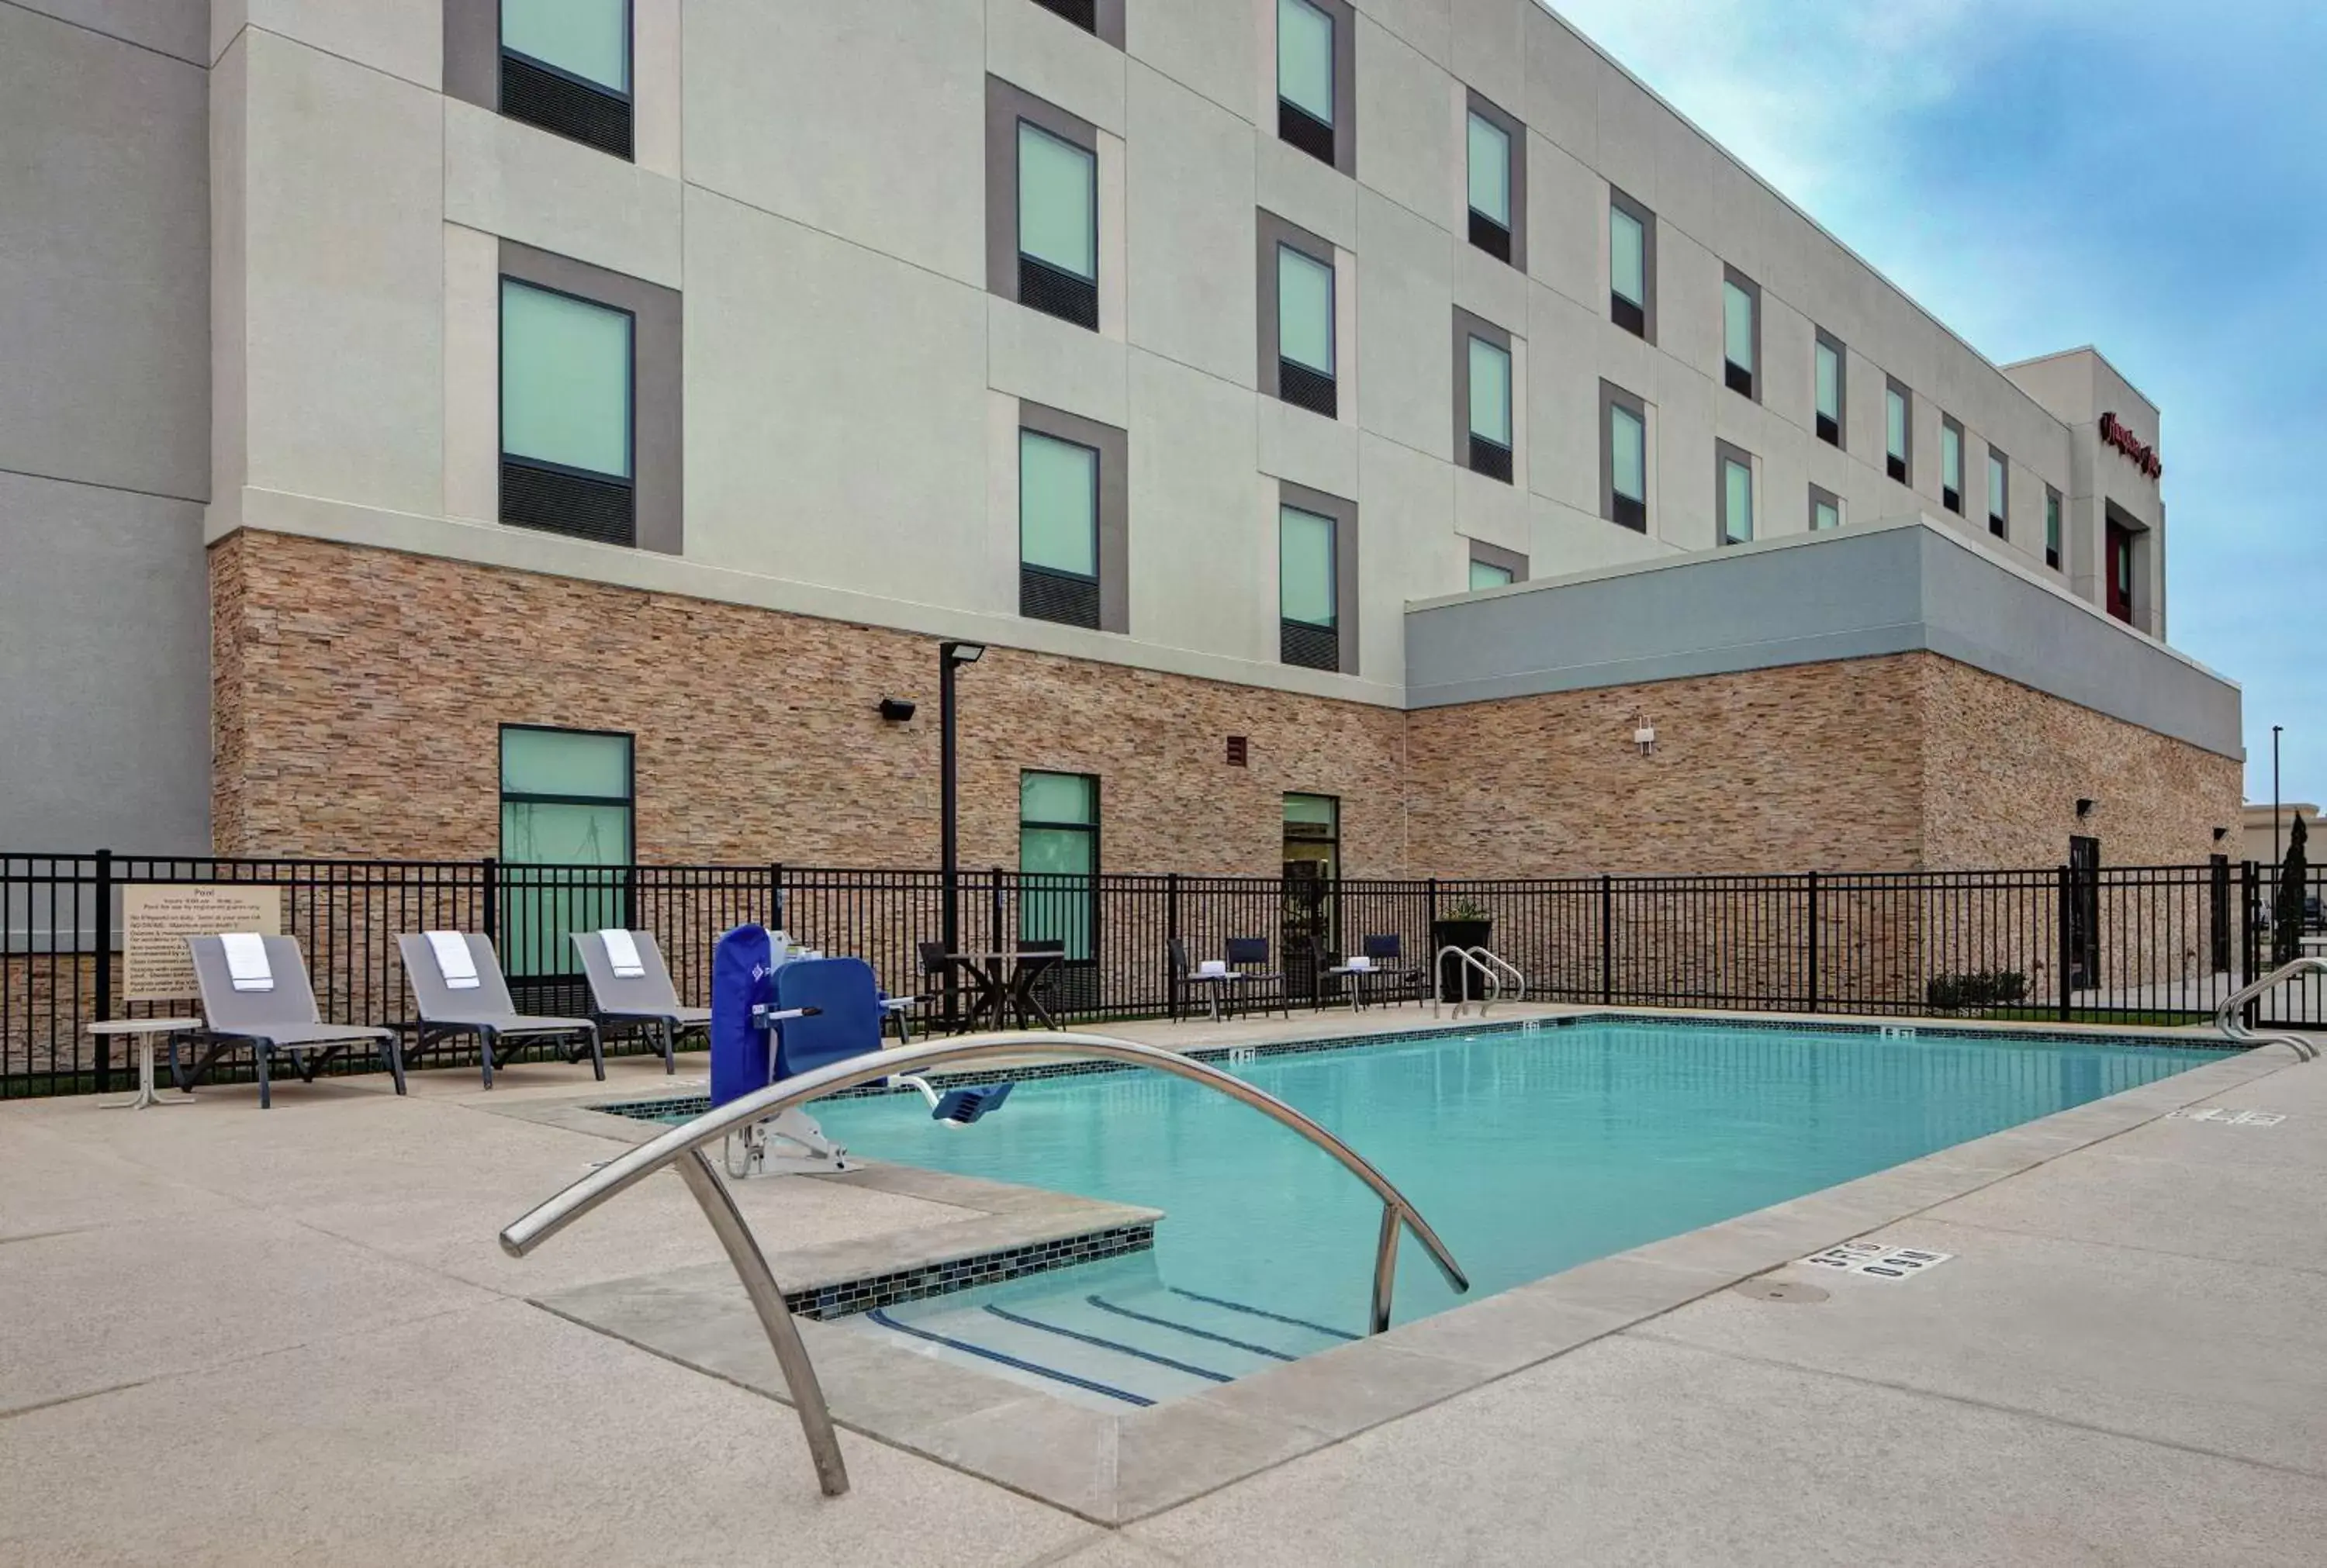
x,y
360,697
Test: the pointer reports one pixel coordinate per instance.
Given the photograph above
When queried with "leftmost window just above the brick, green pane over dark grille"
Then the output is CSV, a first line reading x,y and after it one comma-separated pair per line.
x,y
567,446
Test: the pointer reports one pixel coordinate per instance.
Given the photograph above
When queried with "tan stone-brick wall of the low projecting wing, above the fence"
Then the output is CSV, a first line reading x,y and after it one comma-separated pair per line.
x,y
1872,764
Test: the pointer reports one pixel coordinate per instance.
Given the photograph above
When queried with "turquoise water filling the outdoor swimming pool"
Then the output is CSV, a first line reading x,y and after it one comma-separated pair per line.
x,y
1528,1150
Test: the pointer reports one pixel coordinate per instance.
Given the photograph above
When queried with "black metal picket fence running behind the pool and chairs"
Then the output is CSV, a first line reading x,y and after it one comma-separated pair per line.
x,y
2133,946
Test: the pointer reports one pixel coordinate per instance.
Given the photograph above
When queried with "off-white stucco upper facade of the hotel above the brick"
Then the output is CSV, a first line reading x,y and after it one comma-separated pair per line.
x,y
811,180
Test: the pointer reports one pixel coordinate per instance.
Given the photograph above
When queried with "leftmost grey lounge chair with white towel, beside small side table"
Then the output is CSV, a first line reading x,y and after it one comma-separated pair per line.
x,y
257,997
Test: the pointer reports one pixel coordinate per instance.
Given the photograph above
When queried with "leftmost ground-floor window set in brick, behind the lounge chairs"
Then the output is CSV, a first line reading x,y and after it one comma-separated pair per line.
x,y
567,801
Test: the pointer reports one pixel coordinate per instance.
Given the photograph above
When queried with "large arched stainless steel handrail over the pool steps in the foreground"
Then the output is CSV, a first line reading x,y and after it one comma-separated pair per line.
x,y
683,1148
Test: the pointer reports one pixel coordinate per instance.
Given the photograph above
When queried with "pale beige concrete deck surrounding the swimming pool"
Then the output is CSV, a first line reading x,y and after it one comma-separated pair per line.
x,y
301,1339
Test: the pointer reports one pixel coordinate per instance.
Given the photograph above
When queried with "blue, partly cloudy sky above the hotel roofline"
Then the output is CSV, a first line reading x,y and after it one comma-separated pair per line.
x,y
2140,176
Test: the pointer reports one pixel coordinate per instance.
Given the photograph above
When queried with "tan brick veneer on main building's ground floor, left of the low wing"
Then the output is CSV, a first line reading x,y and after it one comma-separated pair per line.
x,y
360,697
